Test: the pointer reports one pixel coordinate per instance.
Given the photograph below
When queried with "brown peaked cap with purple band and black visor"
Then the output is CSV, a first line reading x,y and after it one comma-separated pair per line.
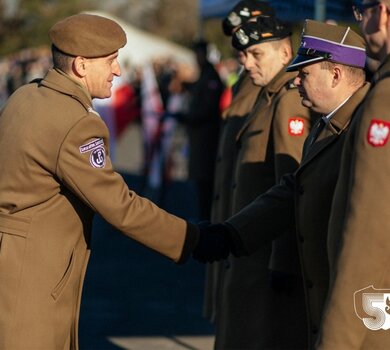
x,y
321,41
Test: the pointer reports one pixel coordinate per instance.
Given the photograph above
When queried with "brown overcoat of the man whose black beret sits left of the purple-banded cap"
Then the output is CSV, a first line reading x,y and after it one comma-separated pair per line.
x,y
267,147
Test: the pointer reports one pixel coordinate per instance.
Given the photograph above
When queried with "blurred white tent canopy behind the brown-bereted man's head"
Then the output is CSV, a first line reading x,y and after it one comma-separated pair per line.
x,y
144,47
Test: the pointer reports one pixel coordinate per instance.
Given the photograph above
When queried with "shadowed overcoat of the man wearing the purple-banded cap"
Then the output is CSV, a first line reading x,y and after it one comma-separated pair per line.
x,y
305,198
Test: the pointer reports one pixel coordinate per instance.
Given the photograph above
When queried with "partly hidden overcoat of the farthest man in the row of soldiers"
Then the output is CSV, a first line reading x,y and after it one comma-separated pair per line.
x,y
233,118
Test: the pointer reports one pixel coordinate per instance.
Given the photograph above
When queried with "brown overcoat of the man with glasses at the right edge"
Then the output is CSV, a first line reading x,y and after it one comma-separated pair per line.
x,y
357,311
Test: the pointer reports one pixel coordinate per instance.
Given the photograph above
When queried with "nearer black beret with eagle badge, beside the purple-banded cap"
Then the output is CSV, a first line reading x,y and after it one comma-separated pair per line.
x,y
262,30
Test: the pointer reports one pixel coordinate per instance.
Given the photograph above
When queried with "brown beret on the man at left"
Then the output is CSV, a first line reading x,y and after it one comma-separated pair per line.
x,y
87,36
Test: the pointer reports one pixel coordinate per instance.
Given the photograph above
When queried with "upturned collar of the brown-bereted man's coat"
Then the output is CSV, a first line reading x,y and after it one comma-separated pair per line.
x,y
59,81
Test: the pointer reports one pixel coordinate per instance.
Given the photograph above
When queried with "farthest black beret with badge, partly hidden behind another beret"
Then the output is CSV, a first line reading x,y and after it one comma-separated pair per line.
x,y
243,12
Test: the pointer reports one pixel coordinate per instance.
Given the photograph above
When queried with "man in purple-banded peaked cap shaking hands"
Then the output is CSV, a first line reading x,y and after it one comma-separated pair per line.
x,y
331,81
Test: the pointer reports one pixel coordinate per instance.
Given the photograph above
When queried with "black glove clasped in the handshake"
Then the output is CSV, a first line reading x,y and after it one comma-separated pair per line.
x,y
214,243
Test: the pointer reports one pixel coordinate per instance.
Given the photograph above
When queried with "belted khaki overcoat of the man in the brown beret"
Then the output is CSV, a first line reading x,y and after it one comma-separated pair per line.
x,y
56,172
